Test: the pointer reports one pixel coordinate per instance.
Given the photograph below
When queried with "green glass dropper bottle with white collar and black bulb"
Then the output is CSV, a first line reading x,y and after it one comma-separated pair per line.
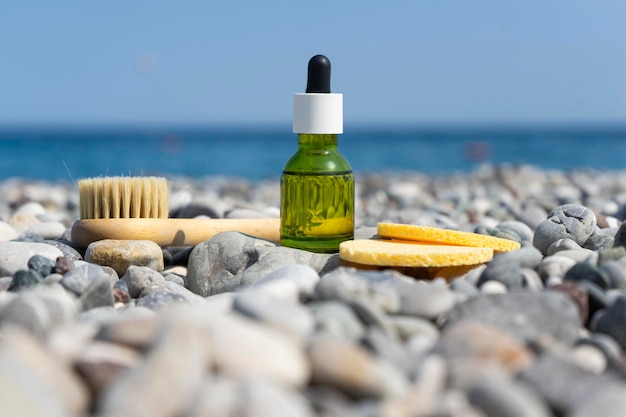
x,y
317,183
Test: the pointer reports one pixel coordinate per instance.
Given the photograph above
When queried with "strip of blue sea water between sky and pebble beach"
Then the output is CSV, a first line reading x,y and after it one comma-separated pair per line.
x,y
260,153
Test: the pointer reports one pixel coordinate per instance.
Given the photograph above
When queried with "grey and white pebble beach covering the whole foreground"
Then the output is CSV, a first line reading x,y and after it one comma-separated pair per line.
x,y
238,325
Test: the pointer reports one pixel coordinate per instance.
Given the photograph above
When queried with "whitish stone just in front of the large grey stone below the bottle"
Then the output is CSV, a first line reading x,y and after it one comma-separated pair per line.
x,y
280,281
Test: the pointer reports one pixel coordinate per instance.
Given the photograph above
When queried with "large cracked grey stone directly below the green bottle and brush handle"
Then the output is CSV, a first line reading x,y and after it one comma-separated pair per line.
x,y
231,260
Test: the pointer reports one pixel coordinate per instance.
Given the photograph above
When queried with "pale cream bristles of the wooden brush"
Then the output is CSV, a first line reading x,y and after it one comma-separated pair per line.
x,y
123,197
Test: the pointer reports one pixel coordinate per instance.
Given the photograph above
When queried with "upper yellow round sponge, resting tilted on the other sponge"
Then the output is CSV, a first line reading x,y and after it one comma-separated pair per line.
x,y
444,236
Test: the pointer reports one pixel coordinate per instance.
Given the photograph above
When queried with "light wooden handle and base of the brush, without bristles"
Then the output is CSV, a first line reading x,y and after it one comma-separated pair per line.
x,y
170,232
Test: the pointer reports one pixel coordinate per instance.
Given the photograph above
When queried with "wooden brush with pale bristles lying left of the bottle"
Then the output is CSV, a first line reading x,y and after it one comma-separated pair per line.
x,y
136,208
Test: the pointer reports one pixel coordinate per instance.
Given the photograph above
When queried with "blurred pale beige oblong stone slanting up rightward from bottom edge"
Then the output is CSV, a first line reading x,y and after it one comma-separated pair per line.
x,y
181,353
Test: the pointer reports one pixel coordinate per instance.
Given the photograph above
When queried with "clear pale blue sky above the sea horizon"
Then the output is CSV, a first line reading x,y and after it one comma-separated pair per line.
x,y
239,62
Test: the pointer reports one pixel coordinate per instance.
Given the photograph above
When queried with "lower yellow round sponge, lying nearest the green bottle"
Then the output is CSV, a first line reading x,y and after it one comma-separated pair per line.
x,y
413,254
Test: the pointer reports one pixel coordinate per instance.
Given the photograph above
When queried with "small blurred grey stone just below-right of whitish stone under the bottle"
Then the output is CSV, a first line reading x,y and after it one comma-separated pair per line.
x,y
337,319
